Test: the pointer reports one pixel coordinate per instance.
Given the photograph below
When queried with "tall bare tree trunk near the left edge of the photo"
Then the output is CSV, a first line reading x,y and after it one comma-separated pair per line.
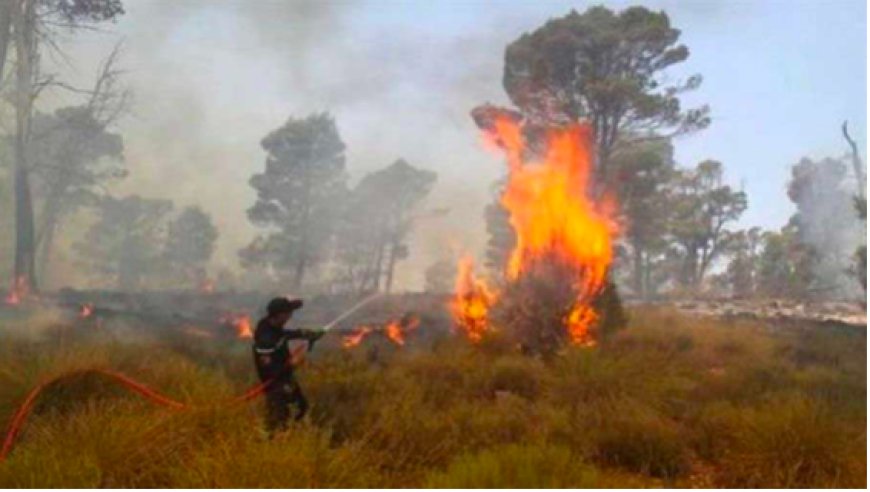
x,y
25,261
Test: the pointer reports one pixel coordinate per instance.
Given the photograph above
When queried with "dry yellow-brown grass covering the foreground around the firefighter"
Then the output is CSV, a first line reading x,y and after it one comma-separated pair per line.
x,y
670,401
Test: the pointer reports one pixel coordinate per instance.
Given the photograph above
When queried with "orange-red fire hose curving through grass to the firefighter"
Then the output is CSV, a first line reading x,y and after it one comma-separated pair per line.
x,y
20,416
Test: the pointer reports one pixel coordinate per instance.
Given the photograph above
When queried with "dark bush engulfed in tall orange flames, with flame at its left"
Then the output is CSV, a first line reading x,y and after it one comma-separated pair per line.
x,y
558,268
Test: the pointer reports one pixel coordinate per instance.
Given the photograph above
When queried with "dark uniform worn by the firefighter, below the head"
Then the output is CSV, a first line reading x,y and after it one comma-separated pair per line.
x,y
272,358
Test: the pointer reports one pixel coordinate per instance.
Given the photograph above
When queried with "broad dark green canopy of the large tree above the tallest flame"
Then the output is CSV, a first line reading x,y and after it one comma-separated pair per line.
x,y
608,67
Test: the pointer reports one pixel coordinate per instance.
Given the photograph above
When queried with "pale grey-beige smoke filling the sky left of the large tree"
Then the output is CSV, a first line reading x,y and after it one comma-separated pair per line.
x,y
210,79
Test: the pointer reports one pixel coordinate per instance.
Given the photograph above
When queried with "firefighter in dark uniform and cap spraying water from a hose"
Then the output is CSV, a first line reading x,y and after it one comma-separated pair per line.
x,y
274,362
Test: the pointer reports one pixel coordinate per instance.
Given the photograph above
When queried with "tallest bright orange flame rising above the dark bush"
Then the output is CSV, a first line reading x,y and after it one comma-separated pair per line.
x,y
547,197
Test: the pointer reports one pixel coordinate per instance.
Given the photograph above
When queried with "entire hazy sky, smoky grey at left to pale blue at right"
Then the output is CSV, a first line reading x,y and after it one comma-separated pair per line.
x,y
211,78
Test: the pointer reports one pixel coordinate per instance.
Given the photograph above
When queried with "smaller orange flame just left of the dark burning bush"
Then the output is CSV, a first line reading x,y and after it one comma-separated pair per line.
x,y
471,301
